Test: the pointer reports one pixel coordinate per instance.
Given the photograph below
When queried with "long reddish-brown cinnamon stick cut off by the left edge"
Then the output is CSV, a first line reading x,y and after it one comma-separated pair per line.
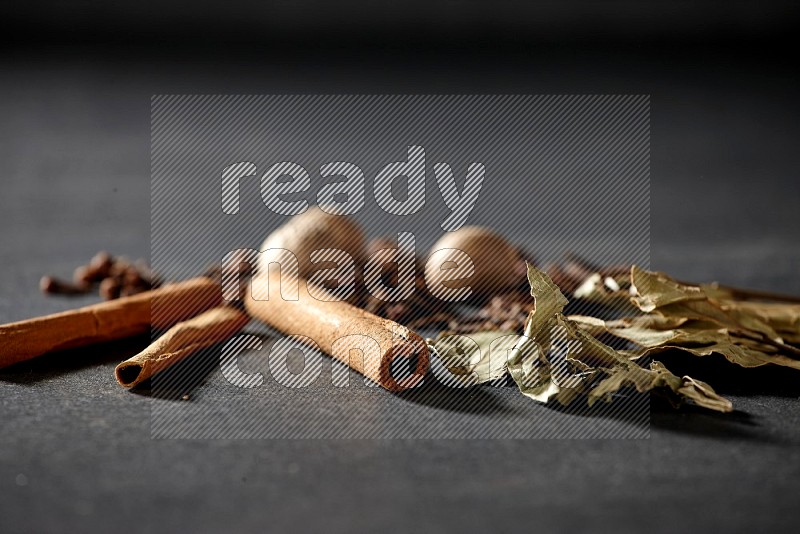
x,y
106,321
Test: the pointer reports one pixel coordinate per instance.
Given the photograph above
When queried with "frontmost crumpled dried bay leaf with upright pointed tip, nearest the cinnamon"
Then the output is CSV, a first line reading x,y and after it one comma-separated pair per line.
x,y
555,360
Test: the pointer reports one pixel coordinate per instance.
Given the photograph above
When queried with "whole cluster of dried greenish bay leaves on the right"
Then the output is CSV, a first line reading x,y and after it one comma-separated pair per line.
x,y
560,358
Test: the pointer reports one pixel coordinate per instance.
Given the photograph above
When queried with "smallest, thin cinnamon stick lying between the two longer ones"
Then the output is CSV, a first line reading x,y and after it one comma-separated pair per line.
x,y
182,340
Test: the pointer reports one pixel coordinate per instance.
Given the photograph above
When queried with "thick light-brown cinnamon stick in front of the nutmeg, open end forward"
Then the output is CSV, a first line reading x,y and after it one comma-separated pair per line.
x,y
367,343
